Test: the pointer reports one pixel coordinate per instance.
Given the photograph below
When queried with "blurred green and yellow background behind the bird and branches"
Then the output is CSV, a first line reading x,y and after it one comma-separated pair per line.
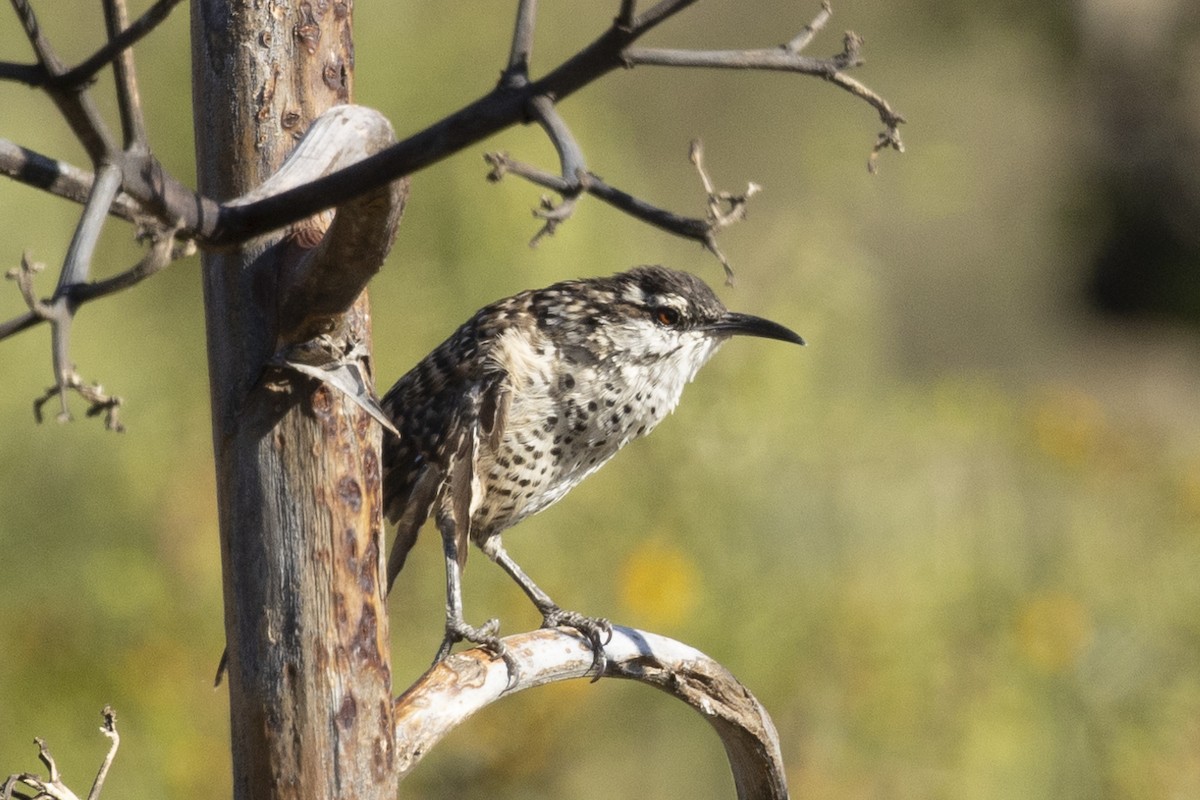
x,y
953,546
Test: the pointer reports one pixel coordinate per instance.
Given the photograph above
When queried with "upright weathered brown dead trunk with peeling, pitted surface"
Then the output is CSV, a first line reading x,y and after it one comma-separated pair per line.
x,y
298,472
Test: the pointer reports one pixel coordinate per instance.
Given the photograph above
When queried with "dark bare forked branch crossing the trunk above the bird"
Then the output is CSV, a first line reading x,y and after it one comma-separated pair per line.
x,y
148,189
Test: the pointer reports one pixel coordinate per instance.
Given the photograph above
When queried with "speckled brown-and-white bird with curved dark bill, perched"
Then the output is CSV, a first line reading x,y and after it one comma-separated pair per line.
x,y
531,396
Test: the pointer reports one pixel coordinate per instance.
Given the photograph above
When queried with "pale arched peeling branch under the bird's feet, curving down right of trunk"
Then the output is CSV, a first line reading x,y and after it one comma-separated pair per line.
x,y
476,679
